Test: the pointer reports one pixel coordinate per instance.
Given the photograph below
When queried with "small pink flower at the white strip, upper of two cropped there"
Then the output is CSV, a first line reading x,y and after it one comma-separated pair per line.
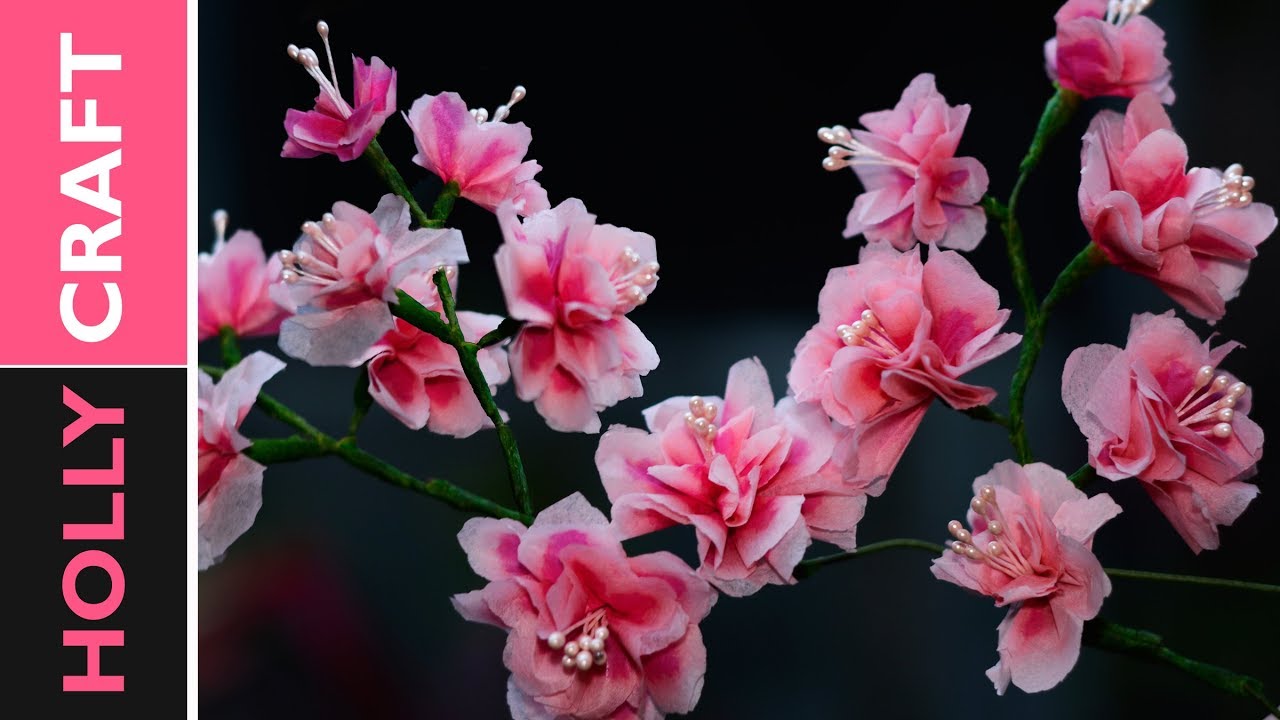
x,y
234,286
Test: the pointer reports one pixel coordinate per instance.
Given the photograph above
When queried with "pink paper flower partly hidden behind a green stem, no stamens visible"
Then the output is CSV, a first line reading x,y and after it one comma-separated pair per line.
x,y
419,379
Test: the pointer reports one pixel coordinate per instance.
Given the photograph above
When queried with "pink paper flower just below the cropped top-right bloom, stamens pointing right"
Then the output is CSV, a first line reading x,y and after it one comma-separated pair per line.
x,y
1194,234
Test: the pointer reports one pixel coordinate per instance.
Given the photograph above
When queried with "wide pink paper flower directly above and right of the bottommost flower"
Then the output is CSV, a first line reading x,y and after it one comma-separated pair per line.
x,y
757,482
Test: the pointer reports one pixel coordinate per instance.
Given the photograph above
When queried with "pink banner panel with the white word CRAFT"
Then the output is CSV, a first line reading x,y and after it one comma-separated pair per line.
x,y
94,184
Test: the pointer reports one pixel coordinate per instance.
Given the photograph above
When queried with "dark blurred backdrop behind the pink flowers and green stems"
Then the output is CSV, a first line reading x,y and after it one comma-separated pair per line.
x,y
701,130
